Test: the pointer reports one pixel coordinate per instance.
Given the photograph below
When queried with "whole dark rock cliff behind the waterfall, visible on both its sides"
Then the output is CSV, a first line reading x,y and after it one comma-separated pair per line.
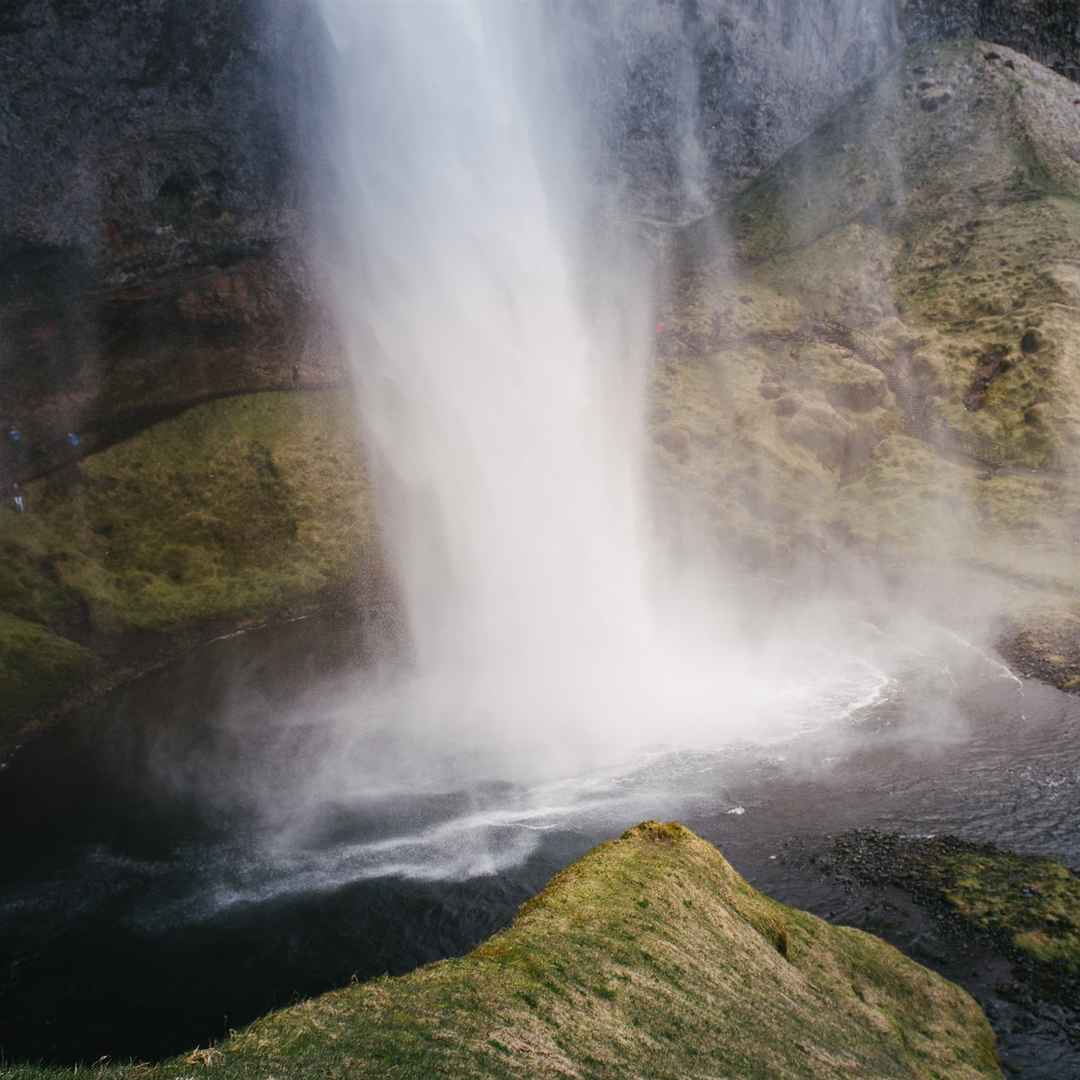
x,y
151,197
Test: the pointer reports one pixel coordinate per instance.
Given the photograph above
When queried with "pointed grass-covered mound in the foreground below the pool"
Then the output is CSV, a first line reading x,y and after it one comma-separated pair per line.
x,y
651,957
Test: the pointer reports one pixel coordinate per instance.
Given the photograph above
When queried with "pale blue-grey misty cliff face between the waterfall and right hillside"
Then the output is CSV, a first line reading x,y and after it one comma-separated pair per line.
x,y
711,92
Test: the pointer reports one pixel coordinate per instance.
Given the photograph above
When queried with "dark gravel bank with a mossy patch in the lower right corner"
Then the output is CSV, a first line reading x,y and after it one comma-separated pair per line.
x,y
1006,927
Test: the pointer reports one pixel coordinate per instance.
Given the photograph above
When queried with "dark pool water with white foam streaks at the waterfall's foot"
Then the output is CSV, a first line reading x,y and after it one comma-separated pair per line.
x,y
150,902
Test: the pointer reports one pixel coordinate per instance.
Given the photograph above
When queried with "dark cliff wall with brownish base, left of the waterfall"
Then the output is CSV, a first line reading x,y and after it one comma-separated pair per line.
x,y
148,211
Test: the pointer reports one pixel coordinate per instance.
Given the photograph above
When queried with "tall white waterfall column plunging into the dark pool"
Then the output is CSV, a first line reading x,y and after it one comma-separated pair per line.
x,y
499,322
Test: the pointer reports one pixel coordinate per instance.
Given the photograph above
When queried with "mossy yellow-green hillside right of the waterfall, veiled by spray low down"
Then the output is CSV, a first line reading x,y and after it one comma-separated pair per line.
x,y
879,348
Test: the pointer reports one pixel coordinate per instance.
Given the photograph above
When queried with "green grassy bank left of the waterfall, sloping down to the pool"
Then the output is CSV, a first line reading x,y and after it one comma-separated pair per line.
x,y
231,511
